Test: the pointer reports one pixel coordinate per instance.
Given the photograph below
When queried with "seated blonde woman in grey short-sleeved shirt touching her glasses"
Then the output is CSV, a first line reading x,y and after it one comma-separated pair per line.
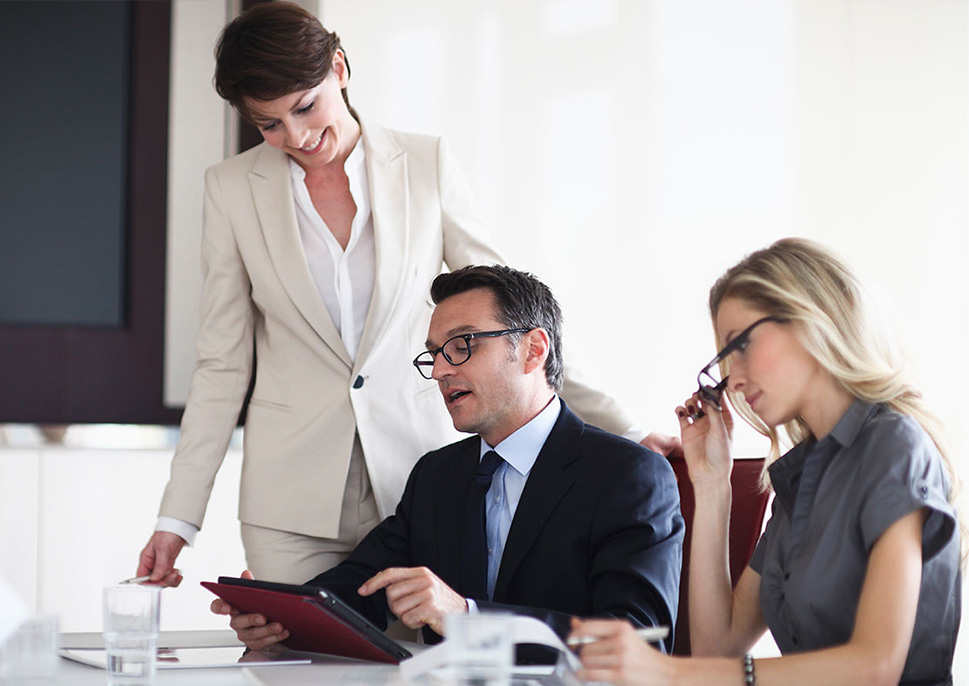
x,y
857,574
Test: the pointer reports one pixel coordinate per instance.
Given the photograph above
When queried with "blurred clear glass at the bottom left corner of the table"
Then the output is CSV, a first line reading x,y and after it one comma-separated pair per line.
x,y
29,655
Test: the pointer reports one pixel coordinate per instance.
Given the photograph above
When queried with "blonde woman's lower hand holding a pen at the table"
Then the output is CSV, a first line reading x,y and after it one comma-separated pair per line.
x,y
619,656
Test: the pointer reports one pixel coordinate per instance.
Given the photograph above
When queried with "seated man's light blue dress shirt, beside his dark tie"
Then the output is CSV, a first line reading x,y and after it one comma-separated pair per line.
x,y
519,452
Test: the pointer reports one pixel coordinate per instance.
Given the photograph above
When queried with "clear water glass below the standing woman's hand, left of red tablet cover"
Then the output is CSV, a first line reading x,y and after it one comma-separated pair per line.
x,y
131,634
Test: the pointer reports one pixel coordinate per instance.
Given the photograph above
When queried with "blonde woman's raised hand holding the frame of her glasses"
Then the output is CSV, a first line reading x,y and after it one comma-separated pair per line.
x,y
706,433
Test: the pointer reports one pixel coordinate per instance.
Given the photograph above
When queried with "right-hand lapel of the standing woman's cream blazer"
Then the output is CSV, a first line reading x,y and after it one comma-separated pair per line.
x,y
389,205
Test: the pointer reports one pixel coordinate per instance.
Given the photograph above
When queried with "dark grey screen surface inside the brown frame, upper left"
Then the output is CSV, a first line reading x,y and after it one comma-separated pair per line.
x,y
64,81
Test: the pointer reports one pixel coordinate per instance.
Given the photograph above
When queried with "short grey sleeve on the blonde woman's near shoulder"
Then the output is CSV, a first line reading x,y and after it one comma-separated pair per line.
x,y
901,472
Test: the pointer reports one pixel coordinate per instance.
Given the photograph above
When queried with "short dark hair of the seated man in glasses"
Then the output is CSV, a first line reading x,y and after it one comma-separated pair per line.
x,y
523,302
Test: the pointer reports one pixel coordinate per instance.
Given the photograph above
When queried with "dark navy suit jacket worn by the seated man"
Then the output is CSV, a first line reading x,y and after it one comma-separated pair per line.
x,y
598,531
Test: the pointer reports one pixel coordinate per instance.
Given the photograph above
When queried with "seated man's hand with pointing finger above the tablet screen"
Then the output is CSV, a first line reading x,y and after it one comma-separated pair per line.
x,y
416,595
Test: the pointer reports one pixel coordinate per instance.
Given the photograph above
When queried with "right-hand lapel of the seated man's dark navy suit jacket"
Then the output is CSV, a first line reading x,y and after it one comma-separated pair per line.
x,y
547,484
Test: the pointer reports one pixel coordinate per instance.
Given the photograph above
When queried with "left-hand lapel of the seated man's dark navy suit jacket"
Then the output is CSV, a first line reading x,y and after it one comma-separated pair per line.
x,y
456,487
